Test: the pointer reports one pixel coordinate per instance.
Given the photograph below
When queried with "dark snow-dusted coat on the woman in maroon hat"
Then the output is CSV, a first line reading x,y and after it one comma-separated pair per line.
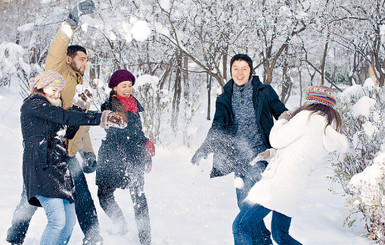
x,y
122,155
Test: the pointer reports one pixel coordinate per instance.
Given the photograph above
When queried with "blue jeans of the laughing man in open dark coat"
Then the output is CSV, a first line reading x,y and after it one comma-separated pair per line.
x,y
251,176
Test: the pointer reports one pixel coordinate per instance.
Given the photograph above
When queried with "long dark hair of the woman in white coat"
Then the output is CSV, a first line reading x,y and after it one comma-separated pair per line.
x,y
331,114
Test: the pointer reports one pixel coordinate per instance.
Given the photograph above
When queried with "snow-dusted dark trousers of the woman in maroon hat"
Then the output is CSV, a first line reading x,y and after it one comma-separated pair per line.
x,y
112,209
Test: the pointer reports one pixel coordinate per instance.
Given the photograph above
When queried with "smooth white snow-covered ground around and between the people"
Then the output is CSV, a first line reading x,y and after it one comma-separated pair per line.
x,y
186,207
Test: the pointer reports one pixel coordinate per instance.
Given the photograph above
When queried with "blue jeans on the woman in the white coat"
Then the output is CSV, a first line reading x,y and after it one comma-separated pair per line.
x,y
245,231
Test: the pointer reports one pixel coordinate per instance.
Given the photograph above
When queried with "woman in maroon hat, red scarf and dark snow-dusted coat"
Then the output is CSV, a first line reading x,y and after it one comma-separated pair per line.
x,y
124,157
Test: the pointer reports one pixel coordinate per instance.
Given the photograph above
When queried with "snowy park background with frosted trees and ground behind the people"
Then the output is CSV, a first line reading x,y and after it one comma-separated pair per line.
x,y
179,52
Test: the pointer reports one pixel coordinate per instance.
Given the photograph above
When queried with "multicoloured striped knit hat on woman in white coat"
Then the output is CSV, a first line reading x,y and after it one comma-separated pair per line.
x,y
320,94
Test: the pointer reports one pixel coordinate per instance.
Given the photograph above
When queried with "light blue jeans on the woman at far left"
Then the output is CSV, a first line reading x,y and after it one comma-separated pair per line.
x,y
61,218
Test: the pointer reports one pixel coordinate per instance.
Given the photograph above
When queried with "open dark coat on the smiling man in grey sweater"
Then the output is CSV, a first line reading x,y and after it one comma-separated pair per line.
x,y
220,140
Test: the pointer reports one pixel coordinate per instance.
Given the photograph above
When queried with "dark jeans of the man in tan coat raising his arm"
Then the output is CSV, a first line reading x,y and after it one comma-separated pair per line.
x,y
84,206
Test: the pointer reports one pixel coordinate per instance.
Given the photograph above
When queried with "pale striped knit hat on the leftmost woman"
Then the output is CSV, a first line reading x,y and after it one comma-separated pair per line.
x,y
47,79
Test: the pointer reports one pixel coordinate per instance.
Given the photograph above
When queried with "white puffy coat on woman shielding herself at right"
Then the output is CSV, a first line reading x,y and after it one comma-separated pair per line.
x,y
301,144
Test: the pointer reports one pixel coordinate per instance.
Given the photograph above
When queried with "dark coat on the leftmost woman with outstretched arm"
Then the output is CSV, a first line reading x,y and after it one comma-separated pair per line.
x,y
45,171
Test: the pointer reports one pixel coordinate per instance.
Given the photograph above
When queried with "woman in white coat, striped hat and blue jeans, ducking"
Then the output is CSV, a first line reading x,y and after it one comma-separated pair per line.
x,y
302,140
